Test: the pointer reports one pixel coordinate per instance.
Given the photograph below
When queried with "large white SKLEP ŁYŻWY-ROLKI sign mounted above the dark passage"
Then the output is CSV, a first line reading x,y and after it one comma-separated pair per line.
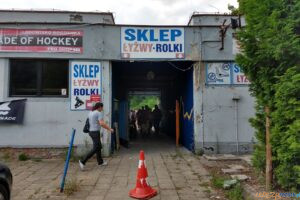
x,y
150,42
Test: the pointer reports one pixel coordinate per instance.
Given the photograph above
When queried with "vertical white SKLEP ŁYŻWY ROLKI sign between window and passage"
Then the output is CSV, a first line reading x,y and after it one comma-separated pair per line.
x,y
86,84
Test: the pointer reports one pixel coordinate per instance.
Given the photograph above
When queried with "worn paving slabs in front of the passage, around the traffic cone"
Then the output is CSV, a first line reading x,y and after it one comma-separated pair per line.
x,y
175,173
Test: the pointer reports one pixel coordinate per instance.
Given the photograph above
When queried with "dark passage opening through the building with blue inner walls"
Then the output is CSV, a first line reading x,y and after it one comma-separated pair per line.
x,y
147,84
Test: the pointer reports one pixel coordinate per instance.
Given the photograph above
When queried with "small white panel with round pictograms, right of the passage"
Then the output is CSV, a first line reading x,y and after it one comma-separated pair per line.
x,y
218,73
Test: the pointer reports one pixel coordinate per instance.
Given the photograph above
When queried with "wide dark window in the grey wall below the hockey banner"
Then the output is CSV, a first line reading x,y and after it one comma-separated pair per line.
x,y
39,77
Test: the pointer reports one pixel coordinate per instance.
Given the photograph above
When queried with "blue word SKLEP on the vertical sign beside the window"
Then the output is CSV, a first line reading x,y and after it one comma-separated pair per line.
x,y
86,71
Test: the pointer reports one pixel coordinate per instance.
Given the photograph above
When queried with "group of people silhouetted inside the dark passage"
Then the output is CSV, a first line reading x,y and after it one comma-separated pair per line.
x,y
143,120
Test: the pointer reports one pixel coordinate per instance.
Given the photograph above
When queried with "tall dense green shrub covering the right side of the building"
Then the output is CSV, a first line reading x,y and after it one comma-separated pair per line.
x,y
270,59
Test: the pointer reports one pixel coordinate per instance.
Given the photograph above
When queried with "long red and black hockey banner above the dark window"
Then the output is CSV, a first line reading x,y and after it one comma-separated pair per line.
x,y
41,40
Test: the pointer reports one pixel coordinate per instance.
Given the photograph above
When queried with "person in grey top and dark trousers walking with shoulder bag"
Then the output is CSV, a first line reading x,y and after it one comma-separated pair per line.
x,y
96,122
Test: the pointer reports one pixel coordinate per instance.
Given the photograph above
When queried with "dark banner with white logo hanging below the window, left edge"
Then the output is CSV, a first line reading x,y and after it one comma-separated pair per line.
x,y
12,111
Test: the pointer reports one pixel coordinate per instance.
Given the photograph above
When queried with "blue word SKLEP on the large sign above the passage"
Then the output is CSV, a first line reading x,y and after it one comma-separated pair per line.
x,y
148,34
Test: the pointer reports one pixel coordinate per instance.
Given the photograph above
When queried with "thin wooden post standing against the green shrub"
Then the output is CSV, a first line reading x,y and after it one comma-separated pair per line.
x,y
268,152
